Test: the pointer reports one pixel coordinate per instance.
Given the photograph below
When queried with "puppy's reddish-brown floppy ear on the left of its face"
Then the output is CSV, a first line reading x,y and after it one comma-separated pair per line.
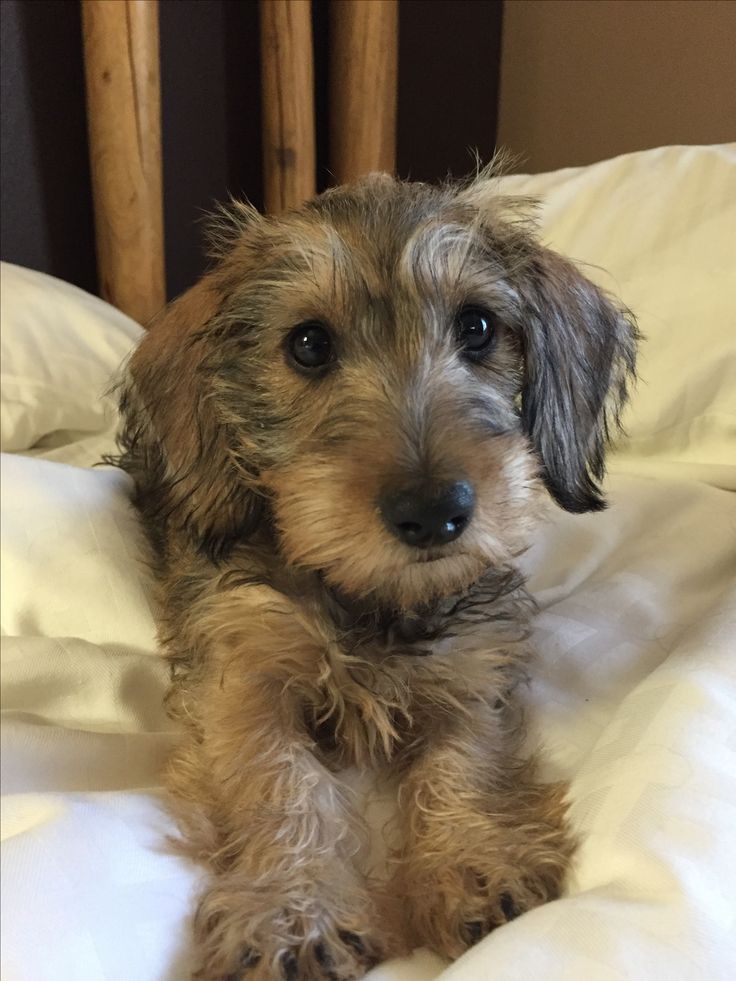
x,y
174,442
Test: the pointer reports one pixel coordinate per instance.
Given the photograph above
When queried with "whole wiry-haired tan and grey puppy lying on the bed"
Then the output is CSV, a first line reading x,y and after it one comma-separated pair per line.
x,y
341,438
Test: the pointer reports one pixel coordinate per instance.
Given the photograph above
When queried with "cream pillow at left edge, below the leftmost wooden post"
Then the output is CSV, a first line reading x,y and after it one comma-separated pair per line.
x,y
60,349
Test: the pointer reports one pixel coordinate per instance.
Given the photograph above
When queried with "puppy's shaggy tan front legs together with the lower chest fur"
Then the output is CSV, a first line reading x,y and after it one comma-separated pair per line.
x,y
263,803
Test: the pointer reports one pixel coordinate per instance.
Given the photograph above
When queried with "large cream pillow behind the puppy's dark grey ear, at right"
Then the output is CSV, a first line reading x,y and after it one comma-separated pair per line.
x,y
658,229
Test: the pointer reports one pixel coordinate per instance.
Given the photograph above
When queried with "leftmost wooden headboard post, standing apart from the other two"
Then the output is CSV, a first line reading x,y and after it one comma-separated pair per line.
x,y
121,51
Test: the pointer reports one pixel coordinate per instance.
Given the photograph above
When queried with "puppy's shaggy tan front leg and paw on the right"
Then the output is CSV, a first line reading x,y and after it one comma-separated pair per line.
x,y
484,839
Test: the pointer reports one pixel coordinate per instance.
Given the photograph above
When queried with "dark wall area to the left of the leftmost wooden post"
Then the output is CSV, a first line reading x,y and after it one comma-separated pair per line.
x,y
46,208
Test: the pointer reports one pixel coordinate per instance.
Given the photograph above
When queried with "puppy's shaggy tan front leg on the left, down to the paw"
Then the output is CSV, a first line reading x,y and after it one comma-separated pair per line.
x,y
284,899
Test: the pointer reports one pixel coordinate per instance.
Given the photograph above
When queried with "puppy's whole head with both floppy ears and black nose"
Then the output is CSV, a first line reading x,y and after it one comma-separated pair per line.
x,y
386,373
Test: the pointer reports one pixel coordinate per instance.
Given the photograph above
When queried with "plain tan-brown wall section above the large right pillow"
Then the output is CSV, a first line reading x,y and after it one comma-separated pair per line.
x,y
582,80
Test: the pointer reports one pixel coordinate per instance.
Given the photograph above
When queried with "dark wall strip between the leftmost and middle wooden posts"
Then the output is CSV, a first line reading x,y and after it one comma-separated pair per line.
x,y
210,121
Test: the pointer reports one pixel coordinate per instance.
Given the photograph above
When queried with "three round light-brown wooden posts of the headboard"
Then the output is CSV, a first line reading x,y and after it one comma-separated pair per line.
x,y
121,53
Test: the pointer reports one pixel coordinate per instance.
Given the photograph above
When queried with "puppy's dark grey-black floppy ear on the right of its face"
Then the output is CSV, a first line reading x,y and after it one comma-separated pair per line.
x,y
579,355
